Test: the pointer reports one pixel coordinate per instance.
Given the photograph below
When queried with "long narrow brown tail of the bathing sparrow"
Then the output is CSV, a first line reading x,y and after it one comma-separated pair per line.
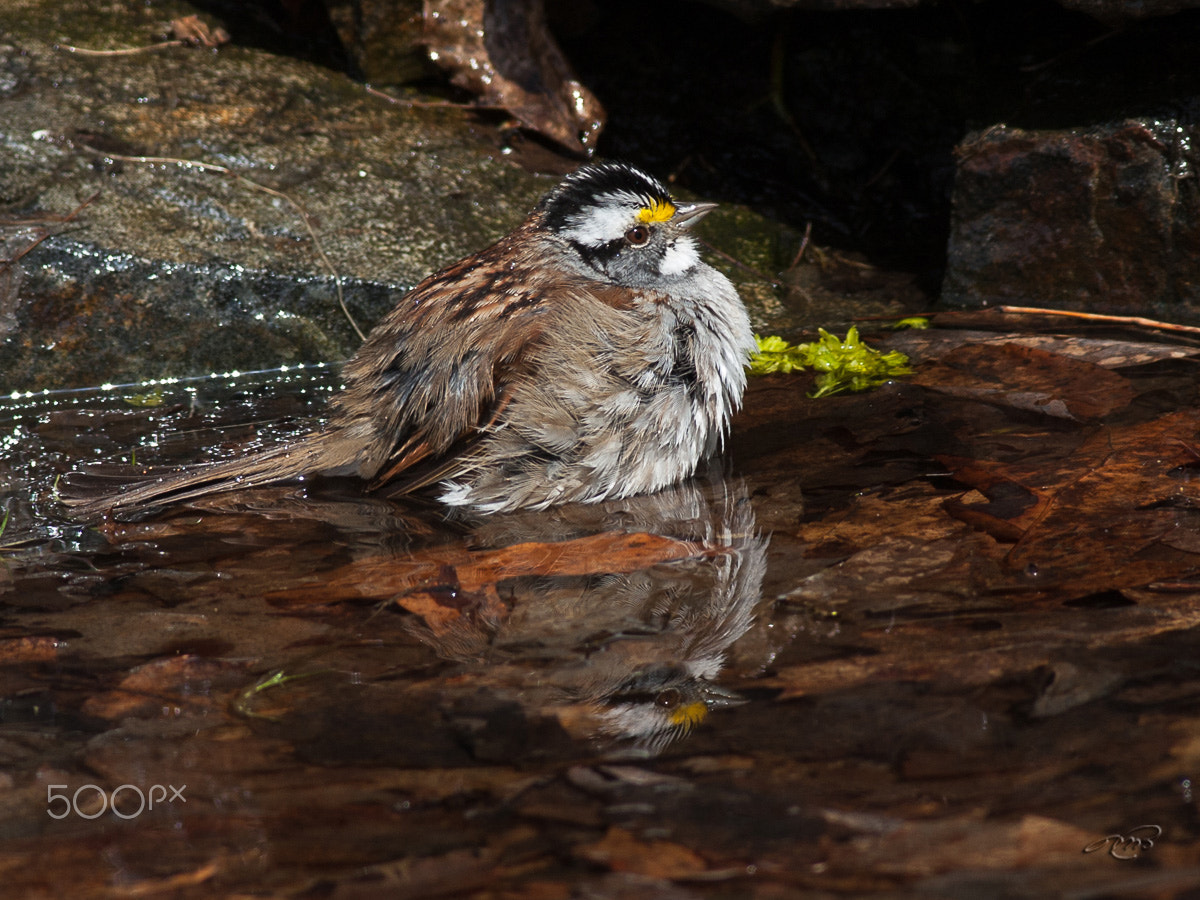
x,y
100,490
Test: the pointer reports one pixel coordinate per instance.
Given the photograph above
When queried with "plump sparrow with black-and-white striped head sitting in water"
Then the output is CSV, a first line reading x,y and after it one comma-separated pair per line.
x,y
589,355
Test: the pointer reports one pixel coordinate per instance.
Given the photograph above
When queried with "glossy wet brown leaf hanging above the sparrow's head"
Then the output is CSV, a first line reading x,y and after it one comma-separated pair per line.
x,y
503,53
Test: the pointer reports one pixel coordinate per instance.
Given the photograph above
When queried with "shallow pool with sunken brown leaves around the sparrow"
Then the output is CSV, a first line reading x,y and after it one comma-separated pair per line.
x,y
929,640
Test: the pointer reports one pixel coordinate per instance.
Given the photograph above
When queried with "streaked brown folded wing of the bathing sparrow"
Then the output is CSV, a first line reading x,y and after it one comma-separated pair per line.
x,y
436,373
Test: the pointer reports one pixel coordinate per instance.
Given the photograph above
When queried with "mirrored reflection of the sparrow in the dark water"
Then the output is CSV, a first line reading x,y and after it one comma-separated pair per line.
x,y
631,659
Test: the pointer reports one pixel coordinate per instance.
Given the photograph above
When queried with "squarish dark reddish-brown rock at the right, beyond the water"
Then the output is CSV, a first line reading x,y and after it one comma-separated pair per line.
x,y
1103,219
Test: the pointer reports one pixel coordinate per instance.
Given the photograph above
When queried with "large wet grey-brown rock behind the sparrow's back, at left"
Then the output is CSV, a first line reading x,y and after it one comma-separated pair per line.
x,y
182,211
